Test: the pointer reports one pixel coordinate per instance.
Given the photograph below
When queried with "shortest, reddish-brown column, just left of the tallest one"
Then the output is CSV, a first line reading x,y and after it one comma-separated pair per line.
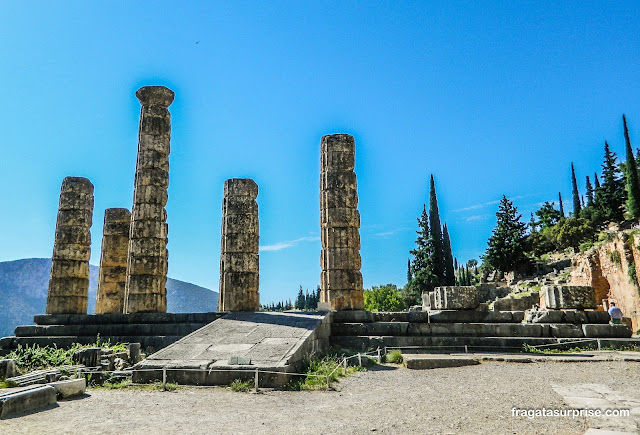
x,y
113,261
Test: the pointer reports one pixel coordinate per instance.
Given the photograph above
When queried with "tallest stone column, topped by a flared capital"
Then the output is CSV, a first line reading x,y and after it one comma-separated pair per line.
x,y
148,255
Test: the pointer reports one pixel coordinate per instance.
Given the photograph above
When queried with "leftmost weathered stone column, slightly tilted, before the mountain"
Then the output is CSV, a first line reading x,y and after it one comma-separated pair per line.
x,y
69,281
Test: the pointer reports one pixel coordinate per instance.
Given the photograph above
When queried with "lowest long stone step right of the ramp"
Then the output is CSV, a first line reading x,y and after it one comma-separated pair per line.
x,y
440,344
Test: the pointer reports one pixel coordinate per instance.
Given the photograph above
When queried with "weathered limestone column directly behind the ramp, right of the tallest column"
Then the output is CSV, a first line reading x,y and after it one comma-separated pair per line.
x,y
239,260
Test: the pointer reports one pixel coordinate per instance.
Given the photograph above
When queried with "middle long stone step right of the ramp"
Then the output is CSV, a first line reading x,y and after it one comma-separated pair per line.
x,y
481,330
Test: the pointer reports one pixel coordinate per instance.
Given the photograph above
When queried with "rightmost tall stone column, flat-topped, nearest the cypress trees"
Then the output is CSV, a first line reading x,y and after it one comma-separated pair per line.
x,y
340,225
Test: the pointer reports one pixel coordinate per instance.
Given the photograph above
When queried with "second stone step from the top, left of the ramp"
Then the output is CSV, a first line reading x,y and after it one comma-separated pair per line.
x,y
121,329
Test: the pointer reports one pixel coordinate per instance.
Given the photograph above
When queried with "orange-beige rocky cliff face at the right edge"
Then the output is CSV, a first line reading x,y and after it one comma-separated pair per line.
x,y
610,267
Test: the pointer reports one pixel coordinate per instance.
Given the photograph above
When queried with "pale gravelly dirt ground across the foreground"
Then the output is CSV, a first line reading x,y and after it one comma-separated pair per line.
x,y
386,400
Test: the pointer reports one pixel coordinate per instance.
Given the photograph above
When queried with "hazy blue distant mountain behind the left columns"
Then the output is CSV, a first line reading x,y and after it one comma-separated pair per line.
x,y
24,285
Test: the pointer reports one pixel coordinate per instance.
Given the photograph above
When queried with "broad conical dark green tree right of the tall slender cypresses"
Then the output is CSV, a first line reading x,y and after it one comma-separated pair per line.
x,y
507,243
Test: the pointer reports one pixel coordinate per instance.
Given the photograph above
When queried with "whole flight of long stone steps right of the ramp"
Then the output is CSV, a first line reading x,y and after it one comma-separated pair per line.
x,y
475,331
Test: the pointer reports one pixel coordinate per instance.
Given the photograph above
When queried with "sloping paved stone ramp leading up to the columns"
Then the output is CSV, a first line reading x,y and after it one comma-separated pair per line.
x,y
234,346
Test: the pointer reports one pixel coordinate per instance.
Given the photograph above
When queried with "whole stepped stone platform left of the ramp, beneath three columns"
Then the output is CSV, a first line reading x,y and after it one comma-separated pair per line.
x,y
153,331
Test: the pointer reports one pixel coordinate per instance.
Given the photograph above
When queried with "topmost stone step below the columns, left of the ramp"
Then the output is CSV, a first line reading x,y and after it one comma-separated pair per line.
x,y
136,318
